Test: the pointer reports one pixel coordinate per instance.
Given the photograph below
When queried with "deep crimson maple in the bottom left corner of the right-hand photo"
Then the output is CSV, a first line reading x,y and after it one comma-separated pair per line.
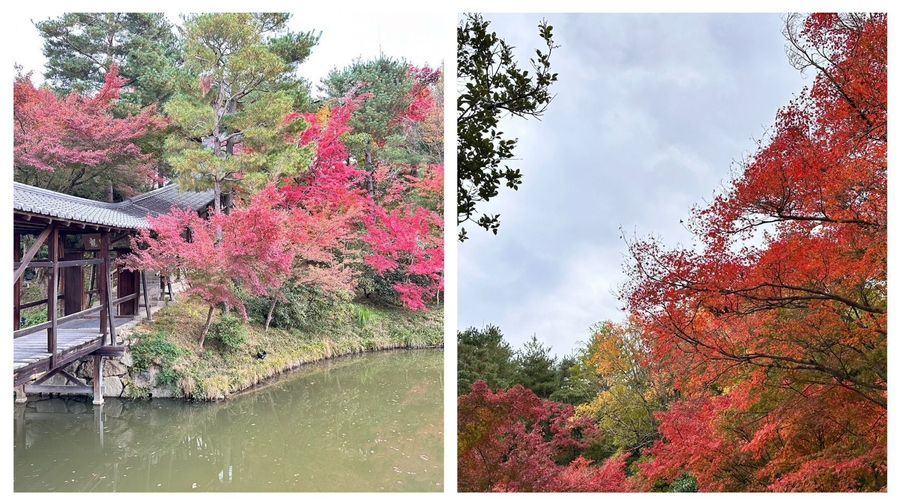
x,y
514,441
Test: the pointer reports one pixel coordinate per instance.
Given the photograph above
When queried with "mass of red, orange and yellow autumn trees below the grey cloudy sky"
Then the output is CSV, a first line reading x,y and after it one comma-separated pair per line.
x,y
755,360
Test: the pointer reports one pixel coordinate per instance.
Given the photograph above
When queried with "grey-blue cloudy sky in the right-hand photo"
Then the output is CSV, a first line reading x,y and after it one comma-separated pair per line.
x,y
650,115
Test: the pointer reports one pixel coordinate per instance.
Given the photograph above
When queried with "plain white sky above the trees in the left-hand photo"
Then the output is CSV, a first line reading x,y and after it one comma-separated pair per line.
x,y
344,38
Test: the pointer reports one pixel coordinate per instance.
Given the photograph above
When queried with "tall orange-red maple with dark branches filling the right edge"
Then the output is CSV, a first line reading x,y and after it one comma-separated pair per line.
x,y
776,325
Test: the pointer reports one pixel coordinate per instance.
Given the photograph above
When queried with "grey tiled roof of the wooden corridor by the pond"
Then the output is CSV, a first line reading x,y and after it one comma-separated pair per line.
x,y
129,214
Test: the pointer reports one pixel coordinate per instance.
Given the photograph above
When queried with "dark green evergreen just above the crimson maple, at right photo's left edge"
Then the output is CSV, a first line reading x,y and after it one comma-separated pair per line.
x,y
482,354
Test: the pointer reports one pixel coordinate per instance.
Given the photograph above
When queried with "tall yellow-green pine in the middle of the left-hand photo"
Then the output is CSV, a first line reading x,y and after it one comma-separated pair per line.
x,y
229,114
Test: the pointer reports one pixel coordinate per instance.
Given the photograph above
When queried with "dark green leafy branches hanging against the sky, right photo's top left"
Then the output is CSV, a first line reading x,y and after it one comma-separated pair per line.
x,y
493,86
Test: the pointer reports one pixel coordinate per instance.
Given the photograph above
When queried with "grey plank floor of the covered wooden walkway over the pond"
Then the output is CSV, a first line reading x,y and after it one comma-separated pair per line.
x,y
75,339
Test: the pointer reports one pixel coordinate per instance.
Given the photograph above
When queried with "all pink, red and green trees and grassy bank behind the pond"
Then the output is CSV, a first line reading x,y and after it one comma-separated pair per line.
x,y
316,194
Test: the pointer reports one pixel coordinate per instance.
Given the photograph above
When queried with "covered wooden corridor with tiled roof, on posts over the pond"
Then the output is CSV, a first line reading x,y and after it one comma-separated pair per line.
x,y
76,245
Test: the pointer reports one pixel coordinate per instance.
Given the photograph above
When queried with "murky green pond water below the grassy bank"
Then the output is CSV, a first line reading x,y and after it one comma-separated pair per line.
x,y
369,423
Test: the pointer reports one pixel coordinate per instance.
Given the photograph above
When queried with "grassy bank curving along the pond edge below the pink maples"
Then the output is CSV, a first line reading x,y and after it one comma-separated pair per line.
x,y
167,360
